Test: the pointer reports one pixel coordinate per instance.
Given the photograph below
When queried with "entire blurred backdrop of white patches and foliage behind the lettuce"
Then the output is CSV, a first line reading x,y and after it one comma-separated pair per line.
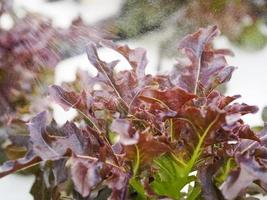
x,y
37,36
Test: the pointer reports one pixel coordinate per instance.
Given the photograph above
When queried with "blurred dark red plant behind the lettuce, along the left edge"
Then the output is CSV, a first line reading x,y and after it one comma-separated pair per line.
x,y
30,49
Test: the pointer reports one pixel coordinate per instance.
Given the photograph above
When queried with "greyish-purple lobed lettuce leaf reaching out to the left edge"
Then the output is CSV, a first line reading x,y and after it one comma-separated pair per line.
x,y
44,146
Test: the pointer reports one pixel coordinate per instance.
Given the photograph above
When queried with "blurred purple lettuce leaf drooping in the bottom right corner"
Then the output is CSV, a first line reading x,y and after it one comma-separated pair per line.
x,y
251,162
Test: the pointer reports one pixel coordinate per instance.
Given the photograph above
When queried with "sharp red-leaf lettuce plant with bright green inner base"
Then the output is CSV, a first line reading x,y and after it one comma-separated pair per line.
x,y
140,136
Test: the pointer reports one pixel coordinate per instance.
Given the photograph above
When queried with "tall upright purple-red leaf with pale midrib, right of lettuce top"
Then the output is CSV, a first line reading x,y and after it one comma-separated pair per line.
x,y
207,68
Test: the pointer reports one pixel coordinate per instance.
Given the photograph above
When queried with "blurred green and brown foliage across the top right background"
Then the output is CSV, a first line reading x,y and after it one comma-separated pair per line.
x,y
240,21
